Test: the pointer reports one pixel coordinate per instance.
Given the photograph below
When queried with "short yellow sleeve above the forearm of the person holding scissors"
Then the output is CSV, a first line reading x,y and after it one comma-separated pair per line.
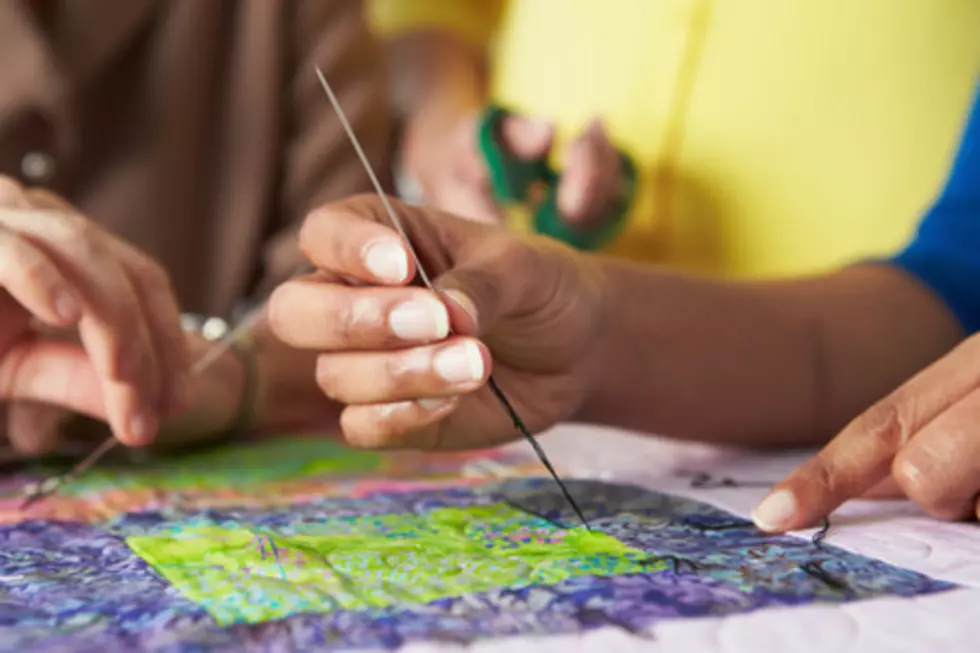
x,y
473,21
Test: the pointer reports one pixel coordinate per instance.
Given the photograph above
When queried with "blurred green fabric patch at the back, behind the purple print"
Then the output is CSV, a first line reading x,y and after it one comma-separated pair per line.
x,y
239,466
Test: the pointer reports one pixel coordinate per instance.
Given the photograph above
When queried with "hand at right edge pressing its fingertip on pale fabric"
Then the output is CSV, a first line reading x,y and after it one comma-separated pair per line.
x,y
923,439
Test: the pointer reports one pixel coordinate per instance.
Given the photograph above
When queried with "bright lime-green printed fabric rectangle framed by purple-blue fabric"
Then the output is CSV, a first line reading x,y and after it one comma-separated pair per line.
x,y
243,574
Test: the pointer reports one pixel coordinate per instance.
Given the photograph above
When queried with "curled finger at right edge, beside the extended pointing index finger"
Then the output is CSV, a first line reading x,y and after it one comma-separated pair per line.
x,y
940,467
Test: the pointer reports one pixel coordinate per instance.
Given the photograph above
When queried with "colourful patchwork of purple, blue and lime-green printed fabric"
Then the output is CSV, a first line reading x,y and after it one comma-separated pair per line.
x,y
302,544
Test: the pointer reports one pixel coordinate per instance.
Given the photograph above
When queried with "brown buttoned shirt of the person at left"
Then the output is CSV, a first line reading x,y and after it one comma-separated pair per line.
x,y
194,128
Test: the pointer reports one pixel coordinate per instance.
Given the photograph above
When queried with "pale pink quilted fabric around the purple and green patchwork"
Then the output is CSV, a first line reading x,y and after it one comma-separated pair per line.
x,y
893,531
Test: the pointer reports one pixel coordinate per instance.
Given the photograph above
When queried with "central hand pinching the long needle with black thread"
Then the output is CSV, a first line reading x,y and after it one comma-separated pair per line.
x,y
533,303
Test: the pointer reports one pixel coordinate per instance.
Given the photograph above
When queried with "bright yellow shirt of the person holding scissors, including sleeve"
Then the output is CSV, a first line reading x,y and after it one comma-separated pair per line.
x,y
773,137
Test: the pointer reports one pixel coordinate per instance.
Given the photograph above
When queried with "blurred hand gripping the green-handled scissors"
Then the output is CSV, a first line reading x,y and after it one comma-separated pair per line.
x,y
449,167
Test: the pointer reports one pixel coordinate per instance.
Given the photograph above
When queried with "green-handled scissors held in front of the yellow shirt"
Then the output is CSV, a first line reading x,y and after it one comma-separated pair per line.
x,y
513,181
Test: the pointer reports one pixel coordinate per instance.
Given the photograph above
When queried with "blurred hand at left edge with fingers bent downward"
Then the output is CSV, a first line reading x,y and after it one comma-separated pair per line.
x,y
87,322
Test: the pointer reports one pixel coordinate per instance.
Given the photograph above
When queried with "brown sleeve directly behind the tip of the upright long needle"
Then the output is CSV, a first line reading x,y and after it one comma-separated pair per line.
x,y
319,163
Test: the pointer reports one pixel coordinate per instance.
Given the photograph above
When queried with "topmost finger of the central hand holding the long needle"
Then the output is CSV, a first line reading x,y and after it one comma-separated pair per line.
x,y
348,238
